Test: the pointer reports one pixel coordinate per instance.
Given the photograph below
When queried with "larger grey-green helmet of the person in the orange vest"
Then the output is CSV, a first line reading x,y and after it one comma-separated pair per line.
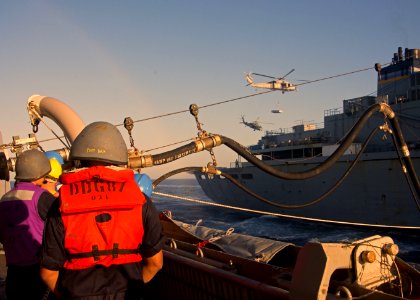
x,y
100,141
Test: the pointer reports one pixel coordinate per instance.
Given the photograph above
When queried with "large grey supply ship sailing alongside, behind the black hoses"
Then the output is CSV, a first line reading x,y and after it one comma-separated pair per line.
x,y
373,192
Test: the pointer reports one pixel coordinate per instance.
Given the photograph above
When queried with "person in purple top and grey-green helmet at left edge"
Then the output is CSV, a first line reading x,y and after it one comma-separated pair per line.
x,y
23,211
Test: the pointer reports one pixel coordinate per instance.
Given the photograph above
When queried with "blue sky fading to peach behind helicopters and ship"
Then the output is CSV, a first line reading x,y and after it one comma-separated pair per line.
x,y
112,59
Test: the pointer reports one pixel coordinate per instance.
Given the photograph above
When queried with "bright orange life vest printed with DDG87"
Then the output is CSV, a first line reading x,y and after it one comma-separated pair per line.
x,y
101,208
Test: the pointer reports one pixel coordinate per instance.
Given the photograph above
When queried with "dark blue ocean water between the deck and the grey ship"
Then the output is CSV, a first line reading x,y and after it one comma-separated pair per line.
x,y
288,230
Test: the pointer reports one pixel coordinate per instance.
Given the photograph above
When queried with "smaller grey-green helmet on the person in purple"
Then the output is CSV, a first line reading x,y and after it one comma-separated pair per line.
x,y
32,165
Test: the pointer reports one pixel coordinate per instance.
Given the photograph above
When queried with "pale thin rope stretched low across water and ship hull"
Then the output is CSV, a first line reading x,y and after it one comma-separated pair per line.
x,y
276,214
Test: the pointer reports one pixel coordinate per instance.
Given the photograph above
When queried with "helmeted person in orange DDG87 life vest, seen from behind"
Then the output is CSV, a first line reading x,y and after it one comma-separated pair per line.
x,y
105,240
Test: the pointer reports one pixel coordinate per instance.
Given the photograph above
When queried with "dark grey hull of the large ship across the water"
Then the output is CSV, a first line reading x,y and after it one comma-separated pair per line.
x,y
375,193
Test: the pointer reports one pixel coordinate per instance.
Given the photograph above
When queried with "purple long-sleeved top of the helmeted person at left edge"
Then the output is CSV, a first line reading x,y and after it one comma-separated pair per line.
x,y
21,225
